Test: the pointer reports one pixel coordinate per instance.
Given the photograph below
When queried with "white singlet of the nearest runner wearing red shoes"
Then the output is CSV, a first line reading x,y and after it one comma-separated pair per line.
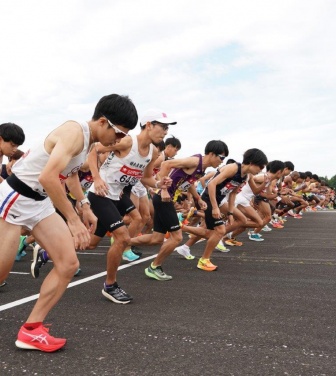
x,y
29,167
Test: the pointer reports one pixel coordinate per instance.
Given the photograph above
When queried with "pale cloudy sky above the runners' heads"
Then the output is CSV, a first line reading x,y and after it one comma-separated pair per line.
x,y
254,74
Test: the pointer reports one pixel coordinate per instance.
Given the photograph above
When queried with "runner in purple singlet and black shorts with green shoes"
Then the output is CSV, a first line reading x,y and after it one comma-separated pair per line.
x,y
183,172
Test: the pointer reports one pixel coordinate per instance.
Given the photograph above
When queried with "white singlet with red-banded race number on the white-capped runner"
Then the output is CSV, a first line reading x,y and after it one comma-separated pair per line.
x,y
121,172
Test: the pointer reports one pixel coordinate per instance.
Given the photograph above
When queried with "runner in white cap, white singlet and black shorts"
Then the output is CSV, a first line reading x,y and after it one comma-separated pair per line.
x,y
131,160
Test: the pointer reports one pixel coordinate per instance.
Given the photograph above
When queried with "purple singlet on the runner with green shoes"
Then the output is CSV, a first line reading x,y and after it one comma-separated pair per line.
x,y
181,181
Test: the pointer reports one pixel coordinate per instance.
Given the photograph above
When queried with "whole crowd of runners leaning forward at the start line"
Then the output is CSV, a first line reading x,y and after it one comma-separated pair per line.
x,y
88,180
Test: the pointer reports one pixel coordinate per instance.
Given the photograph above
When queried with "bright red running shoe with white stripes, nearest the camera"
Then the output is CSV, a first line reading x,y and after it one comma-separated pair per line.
x,y
38,339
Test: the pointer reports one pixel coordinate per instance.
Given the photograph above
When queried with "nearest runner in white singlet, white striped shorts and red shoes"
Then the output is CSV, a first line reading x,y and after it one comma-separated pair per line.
x,y
28,198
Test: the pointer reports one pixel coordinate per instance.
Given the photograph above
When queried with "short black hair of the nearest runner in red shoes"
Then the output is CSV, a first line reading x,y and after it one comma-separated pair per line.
x,y
119,109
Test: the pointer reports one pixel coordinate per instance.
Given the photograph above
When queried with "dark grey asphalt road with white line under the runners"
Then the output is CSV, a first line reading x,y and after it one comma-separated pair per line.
x,y
268,310
